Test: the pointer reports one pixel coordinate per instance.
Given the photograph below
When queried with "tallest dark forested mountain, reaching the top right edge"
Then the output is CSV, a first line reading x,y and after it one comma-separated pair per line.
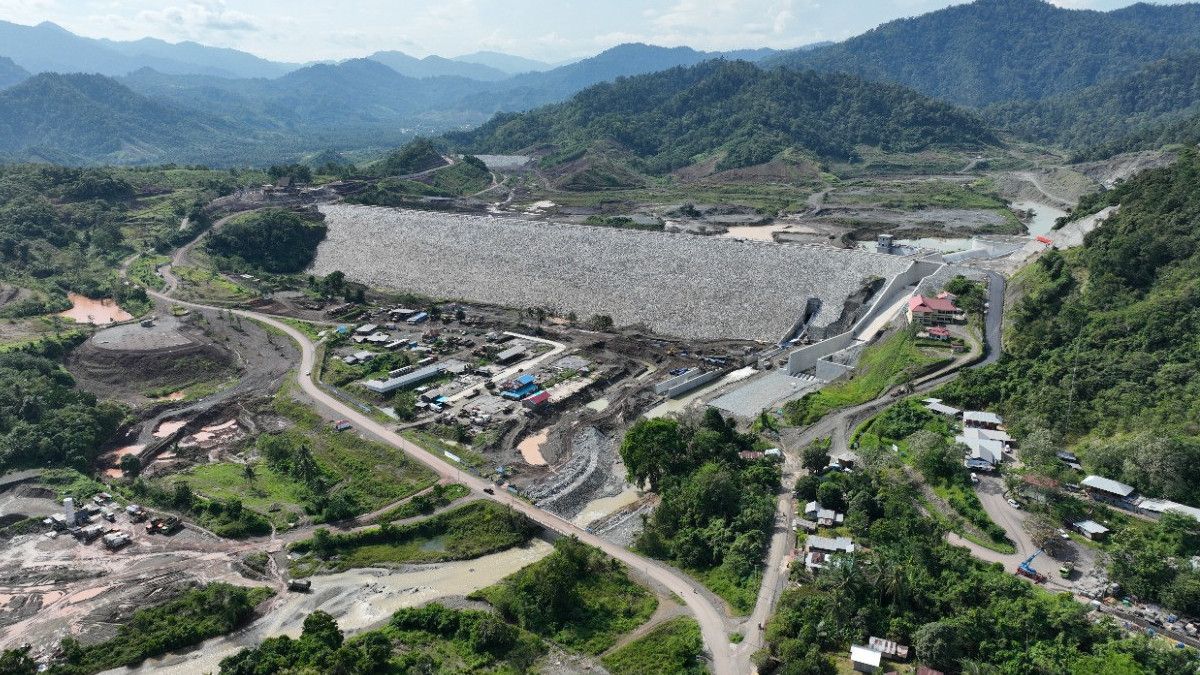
x,y
995,51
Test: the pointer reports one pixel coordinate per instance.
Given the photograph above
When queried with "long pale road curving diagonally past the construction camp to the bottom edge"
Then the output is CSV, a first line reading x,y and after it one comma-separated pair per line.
x,y
713,623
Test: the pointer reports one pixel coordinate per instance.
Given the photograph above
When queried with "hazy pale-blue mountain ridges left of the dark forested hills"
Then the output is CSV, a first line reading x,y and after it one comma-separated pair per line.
x,y
154,117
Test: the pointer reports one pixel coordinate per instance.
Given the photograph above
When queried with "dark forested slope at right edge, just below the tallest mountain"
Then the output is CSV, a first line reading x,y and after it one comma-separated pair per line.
x,y
1161,93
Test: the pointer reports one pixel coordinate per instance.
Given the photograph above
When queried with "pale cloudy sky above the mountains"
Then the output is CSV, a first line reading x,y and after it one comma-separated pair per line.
x,y
304,31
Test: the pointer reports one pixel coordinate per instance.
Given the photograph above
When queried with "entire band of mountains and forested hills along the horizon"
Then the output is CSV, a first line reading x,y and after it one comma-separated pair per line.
x,y
1082,80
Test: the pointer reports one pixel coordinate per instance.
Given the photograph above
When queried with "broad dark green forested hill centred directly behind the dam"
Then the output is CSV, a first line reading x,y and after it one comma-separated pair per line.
x,y
742,114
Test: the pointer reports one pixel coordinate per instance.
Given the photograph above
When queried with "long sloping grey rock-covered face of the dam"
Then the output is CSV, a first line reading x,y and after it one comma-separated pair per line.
x,y
677,285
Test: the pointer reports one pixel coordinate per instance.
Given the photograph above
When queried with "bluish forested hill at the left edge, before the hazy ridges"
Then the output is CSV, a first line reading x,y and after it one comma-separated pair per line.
x,y
79,118
